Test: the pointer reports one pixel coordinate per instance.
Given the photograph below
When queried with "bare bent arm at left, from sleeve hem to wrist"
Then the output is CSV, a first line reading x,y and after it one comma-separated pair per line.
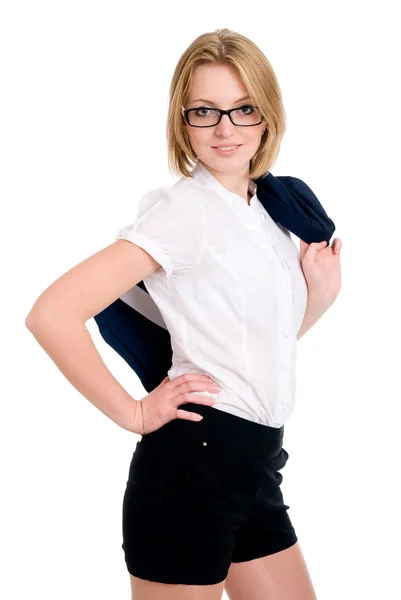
x,y
57,321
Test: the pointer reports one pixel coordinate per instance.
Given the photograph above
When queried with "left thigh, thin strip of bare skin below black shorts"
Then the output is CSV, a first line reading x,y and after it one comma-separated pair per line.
x,y
142,589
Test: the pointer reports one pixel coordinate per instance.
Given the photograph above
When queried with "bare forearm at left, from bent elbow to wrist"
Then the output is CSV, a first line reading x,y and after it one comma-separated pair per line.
x,y
70,346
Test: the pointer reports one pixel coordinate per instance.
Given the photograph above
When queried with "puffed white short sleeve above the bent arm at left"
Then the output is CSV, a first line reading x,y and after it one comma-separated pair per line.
x,y
170,226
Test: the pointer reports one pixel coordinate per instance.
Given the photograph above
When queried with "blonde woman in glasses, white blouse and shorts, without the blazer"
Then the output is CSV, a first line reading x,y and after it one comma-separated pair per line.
x,y
203,509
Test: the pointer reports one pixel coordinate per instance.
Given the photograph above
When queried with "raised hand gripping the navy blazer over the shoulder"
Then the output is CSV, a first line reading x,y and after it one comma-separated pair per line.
x,y
321,267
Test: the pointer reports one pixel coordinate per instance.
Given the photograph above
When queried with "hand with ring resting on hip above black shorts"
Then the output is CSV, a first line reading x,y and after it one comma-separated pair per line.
x,y
160,405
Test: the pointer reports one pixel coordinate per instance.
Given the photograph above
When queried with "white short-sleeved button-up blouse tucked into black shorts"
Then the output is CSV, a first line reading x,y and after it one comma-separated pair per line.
x,y
230,290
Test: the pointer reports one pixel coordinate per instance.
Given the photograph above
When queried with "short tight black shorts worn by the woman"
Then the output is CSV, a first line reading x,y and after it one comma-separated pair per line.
x,y
201,495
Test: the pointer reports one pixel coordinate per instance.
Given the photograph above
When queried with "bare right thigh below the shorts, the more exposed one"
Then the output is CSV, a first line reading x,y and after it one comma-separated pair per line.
x,y
279,576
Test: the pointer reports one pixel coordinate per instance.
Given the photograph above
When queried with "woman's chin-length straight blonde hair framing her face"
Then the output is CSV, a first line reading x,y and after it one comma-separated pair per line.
x,y
226,47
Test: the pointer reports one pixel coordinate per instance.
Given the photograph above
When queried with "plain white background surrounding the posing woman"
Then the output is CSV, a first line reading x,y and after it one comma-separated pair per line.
x,y
83,111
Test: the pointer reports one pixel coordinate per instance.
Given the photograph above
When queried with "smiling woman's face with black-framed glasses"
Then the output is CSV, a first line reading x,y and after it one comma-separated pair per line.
x,y
220,86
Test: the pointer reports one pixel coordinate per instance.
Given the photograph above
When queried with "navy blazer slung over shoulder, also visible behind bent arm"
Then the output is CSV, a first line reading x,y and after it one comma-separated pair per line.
x,y
135,328
